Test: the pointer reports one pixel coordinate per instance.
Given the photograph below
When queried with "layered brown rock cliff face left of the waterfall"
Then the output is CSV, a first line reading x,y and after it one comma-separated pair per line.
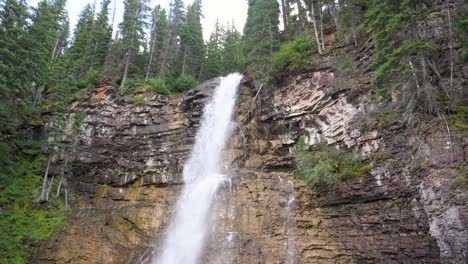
x,y
126,168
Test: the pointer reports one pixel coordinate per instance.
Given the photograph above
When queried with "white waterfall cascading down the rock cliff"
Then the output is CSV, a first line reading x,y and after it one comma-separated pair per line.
x,y
203,174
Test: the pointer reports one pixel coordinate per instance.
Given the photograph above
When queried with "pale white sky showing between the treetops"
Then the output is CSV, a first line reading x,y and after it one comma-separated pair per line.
x,y
224,10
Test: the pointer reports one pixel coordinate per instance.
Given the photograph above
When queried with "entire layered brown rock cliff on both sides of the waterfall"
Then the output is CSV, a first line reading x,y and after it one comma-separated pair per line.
x,y
407,209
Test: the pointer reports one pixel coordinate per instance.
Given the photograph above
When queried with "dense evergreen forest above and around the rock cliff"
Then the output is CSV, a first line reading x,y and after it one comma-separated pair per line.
x,y
45,66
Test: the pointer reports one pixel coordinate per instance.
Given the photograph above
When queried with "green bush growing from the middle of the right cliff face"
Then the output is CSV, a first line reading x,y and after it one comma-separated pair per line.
x,y
326,166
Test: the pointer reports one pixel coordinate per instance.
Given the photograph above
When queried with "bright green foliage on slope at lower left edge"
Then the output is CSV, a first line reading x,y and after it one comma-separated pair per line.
x,y
20,218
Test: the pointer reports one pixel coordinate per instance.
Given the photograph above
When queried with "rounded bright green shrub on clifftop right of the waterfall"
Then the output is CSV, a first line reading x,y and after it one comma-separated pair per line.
x,y
295,55
